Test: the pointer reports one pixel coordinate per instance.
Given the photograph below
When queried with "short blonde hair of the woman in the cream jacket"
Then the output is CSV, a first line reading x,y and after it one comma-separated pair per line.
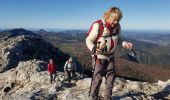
x,y
114,10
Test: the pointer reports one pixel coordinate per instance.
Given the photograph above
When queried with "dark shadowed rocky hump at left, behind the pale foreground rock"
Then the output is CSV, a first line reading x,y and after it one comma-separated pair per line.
x,y
22,45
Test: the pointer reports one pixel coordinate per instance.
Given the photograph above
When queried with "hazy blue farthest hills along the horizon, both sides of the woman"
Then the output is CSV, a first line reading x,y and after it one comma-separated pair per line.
x,y
160,37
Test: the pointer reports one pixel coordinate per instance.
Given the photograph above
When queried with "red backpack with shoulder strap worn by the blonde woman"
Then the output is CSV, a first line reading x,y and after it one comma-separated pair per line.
x,y
101,29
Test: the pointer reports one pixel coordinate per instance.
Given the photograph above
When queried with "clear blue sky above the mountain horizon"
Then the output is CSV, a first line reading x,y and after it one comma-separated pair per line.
x,y
79,14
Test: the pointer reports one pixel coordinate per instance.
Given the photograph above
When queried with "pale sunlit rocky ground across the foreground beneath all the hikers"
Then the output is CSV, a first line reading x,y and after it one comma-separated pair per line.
x,y
25,83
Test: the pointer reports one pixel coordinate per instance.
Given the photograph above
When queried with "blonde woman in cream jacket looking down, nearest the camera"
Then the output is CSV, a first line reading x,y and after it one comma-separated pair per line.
x,y
106,32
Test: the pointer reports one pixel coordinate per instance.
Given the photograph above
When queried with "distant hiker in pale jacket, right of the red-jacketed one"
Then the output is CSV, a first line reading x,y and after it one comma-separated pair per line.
x,y
70,69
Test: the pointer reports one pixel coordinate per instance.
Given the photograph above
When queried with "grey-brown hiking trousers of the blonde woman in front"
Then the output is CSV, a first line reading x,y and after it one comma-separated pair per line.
x,y
103,68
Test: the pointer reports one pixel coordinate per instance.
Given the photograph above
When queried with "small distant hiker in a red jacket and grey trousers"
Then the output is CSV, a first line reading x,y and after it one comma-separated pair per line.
x,y
52,70
